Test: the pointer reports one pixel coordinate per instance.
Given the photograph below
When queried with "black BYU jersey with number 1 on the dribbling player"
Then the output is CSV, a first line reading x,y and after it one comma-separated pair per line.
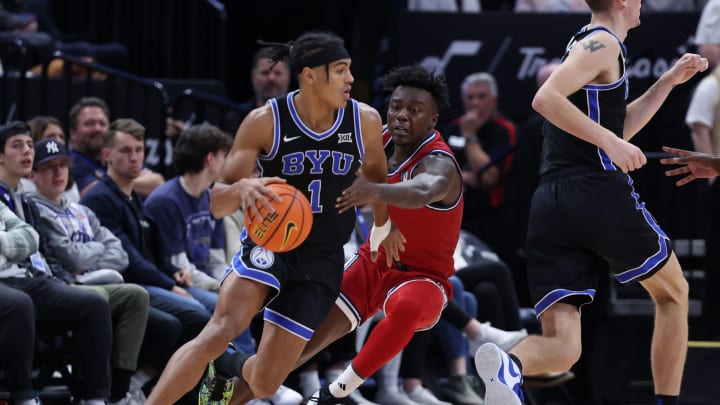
x,y
321,165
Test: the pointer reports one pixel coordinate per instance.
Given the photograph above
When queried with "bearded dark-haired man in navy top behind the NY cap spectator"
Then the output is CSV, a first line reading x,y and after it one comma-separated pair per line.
x,y
88,120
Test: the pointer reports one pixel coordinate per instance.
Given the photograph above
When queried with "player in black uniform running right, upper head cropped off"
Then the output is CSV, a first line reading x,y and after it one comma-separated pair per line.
x,y
585,209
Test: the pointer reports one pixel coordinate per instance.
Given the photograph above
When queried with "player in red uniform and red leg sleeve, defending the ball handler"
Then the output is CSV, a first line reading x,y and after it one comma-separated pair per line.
x,y
424,197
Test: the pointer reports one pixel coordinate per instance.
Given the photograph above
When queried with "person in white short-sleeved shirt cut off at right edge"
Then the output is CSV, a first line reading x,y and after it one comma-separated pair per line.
x,y
702,118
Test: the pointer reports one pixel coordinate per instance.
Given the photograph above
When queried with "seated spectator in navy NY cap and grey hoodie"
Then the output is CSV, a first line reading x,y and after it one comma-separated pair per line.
x,y
81,251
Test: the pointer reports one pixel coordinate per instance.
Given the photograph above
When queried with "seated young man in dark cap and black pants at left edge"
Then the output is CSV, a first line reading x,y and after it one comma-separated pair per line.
x,y
56,307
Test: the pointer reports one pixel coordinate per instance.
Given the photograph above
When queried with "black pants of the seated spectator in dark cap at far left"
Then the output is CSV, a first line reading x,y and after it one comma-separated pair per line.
x,y
58,308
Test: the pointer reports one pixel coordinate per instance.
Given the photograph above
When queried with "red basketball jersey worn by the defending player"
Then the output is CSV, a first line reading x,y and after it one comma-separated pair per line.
x,y
432,232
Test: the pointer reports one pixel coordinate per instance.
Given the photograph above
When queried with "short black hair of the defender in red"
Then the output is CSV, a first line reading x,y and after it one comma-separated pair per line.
x,y
418,77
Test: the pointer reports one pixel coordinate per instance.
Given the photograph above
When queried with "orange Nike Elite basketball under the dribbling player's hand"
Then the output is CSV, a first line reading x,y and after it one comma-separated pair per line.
x,y
285,229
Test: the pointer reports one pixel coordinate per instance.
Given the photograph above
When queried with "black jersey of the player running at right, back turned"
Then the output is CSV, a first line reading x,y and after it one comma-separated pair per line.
x,y
605,104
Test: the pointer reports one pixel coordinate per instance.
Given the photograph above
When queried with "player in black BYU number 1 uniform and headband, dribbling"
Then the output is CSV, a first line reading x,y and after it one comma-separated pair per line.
x,y
316,139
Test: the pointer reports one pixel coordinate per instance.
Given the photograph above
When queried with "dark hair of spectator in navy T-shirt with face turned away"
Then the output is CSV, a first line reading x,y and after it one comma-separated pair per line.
x,y
195,143
